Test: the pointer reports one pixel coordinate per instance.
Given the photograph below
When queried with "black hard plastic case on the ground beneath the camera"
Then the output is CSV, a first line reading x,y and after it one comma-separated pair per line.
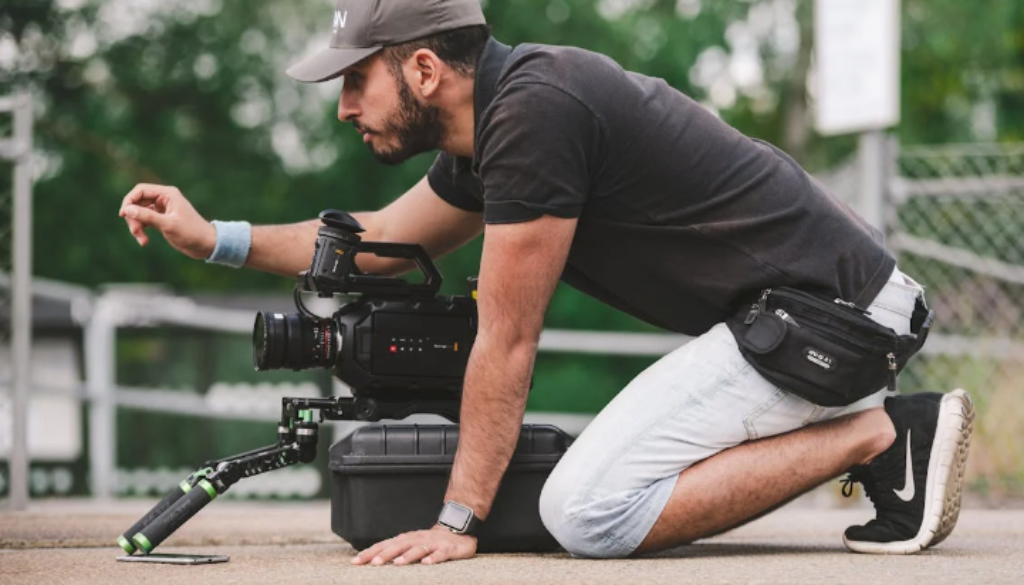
x,y
387,480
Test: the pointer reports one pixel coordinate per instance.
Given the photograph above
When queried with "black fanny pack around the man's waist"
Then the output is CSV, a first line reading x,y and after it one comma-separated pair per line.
x,y
828,352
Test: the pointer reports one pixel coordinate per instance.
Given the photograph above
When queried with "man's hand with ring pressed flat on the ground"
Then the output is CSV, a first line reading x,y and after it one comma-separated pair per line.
x,y
428,547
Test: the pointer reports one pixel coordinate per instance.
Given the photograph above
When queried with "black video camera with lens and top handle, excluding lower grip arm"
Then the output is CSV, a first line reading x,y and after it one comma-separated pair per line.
x,y
397,340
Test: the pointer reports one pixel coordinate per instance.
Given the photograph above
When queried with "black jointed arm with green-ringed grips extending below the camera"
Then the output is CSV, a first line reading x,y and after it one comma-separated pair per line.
x,y
297,439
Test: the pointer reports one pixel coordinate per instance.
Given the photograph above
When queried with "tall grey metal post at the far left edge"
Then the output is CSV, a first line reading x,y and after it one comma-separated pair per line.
x,y
22,302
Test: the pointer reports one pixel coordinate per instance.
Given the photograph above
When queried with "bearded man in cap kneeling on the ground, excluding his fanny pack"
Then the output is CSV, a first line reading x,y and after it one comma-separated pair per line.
x,y
629,191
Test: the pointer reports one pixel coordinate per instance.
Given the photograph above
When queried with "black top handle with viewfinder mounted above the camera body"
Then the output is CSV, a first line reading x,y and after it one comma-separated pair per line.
x,y
333,269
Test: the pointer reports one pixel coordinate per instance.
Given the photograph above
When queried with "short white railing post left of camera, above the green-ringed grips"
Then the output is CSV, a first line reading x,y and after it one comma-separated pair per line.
x,y
100,348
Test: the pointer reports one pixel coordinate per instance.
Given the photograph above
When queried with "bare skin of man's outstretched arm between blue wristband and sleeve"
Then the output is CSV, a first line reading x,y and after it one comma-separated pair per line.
x,y
419,217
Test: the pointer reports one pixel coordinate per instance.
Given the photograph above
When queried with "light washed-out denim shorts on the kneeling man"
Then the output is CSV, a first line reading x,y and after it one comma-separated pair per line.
x,y
612,486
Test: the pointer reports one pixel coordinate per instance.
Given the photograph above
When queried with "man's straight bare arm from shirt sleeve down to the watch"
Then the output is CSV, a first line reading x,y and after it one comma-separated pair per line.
x,y
521,267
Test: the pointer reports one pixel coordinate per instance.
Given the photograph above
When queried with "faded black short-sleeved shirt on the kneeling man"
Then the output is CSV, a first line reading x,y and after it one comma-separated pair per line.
x,y
681,218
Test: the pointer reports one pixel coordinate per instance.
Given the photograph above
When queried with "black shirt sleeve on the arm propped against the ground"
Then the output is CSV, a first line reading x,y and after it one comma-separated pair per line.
x,y
539,152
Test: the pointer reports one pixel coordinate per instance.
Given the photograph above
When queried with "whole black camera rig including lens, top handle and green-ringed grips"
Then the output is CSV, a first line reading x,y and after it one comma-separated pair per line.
x,y
399,346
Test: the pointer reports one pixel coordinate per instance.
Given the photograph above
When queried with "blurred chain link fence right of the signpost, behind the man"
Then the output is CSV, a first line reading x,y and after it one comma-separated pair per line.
x,y
956,219
